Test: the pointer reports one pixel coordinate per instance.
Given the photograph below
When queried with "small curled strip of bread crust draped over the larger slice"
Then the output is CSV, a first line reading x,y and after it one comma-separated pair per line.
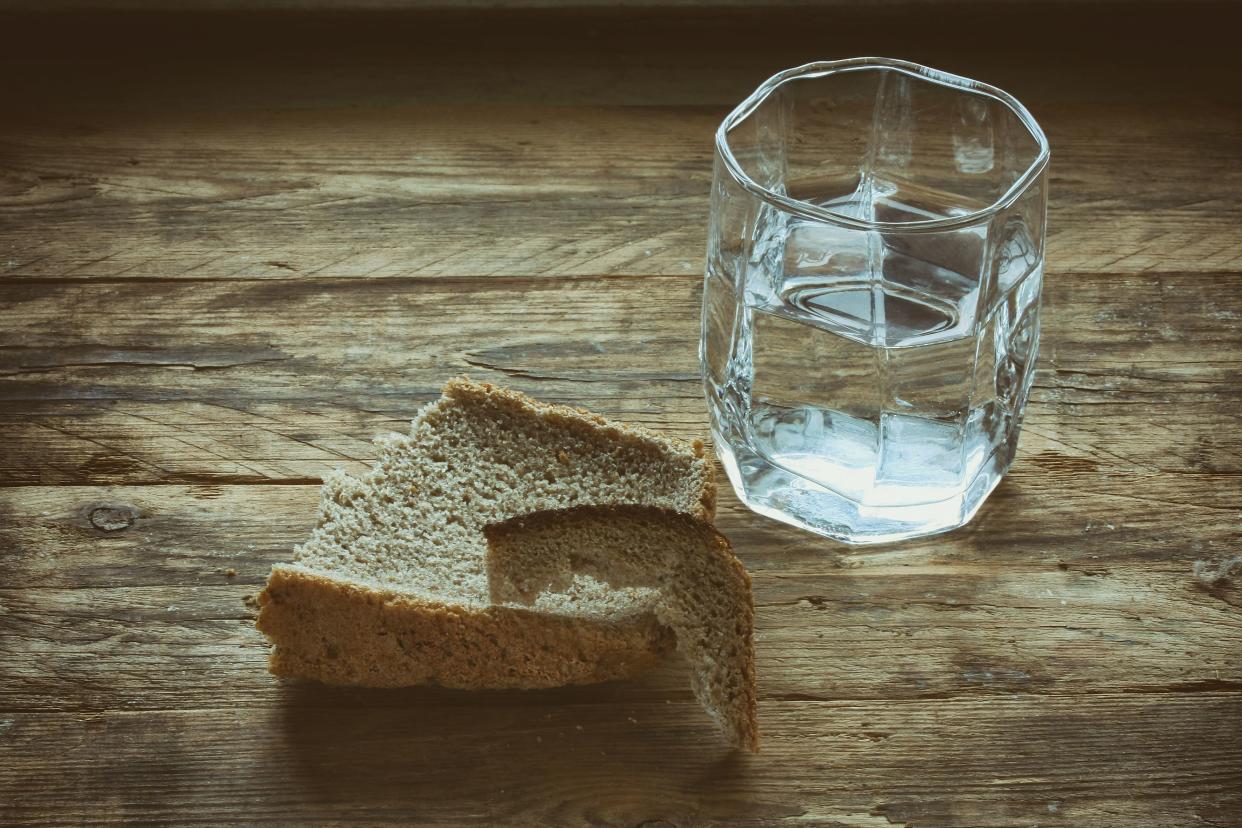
x,y
702,592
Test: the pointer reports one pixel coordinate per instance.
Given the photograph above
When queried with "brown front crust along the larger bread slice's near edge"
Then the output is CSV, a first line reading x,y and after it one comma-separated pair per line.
x,y
342,634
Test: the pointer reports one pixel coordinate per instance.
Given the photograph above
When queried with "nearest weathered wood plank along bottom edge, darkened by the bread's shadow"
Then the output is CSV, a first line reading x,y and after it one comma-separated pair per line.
x,y
1092,763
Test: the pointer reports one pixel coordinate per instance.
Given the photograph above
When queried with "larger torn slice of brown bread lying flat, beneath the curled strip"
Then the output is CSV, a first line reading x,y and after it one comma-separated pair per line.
x,y
392,588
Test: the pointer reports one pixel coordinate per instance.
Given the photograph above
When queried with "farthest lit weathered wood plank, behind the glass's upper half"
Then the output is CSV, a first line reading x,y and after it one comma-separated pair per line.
x,y
520,191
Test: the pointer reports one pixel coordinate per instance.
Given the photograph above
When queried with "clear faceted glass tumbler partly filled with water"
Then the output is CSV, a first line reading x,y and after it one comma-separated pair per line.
x,y
871,307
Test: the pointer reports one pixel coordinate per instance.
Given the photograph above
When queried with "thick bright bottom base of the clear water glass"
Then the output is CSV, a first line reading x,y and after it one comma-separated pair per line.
x,y
783,496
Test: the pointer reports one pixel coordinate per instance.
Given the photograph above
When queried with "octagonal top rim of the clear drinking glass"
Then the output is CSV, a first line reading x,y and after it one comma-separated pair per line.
x,y
823,69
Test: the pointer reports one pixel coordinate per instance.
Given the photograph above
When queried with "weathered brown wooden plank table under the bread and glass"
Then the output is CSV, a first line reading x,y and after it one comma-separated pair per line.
x,y
238,246
